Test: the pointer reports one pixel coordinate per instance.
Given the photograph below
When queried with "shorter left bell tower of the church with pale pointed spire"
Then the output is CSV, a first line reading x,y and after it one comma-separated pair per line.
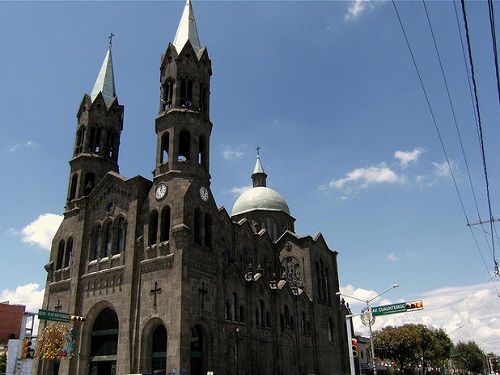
x,y
99,126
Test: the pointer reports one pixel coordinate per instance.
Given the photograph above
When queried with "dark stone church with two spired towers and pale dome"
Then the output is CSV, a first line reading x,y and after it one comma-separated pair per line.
x,y
168,282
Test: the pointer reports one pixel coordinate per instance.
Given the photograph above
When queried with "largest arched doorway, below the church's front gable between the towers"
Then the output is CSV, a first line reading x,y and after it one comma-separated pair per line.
x,y
104,343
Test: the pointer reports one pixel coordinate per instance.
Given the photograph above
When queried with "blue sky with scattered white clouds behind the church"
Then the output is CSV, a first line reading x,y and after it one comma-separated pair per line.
x,y
329,92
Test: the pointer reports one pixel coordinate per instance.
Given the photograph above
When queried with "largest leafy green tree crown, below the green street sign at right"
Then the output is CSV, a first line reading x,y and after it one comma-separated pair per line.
x,y
408,344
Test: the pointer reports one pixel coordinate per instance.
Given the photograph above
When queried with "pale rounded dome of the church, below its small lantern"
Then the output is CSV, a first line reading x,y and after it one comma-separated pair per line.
x,y
260,198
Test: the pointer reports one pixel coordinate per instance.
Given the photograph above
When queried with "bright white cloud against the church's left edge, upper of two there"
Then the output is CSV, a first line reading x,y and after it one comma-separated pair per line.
x,y
41,231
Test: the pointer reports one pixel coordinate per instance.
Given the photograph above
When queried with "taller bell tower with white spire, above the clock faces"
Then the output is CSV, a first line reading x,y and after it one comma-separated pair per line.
x,y
183,125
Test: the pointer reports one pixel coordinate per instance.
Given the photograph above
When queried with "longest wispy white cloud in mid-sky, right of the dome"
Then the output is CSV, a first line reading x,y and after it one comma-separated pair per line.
x,y
381,174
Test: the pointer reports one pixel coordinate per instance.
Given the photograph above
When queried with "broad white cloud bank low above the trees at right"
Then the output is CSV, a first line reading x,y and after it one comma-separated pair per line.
x,y
474,308
